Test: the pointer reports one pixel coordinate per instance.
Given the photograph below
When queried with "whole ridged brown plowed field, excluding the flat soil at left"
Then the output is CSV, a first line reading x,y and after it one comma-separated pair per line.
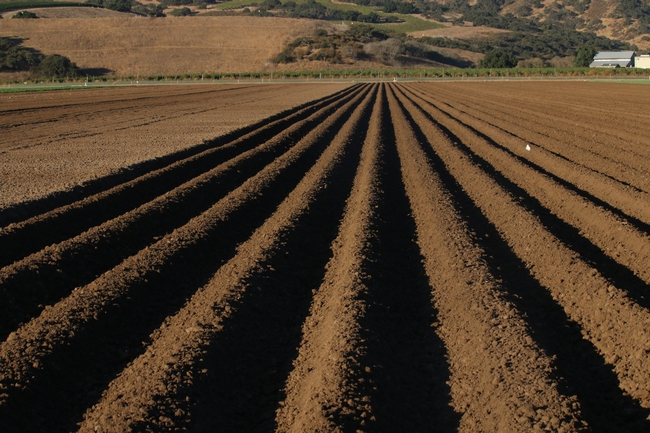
x,y
453,257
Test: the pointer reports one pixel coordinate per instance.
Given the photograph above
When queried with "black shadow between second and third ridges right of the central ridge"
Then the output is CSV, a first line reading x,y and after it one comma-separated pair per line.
x,y
619,275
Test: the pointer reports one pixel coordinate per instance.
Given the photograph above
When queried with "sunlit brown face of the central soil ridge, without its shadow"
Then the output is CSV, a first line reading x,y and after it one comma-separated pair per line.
x,y
321,395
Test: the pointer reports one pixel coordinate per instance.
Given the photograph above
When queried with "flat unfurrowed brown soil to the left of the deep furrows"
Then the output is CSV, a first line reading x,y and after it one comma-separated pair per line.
x,y
56,141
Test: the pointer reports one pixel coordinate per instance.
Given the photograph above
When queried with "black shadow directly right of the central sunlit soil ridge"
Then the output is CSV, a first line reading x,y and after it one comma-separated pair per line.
x,y
408,359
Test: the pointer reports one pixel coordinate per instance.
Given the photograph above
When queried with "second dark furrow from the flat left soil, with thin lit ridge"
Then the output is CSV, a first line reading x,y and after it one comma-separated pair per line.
x,y
62,223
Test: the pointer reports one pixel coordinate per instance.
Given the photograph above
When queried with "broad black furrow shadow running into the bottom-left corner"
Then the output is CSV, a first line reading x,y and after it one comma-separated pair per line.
x,y
73,377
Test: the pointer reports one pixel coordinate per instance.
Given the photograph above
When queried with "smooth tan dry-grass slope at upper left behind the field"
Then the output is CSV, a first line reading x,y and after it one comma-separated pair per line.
x,y
172,45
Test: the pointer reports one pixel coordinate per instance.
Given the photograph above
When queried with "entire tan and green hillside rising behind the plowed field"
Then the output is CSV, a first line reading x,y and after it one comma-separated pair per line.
x,y
237,36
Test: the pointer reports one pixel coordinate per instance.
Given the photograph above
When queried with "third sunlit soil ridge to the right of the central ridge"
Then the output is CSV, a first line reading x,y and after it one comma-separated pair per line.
x,y
615,237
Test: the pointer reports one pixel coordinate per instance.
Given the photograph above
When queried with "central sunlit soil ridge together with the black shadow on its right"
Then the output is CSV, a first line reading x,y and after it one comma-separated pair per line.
x,y
369,360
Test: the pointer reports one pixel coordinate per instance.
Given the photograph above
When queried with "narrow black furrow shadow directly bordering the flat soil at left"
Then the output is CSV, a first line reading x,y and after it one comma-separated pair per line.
x,y
27,210
